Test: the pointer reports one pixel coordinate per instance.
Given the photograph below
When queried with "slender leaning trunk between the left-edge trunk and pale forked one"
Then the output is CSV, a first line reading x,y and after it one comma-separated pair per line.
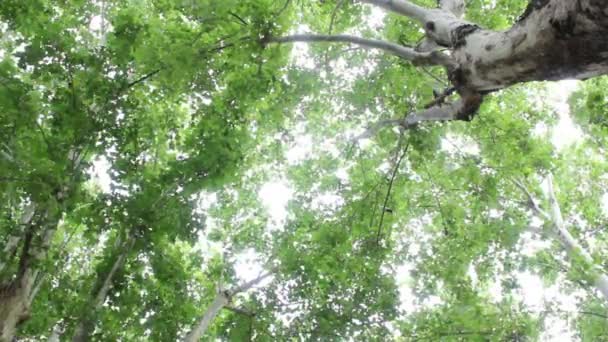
x,y
86,323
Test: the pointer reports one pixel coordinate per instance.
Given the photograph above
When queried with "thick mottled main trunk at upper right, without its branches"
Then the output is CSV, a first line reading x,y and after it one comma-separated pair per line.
x,y
555,39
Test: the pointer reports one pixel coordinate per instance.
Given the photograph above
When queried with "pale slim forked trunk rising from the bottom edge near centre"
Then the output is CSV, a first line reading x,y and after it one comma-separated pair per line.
x,y
221,300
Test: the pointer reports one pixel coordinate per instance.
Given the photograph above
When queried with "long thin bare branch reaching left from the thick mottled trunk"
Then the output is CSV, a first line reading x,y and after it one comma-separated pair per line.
x,y
408,53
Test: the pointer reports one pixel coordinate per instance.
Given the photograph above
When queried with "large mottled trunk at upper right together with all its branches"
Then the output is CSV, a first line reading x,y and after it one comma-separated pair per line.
x,y
552,40
